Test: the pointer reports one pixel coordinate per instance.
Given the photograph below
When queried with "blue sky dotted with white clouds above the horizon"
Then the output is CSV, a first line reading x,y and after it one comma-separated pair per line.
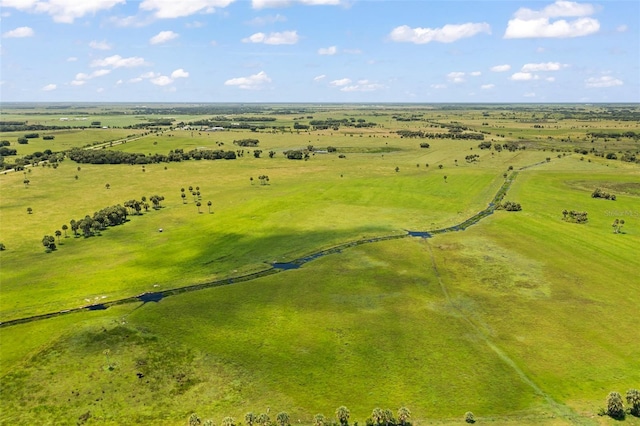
x,y
319,51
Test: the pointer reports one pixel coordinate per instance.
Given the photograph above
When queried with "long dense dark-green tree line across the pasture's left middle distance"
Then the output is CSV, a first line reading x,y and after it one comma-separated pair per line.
x,y
118,157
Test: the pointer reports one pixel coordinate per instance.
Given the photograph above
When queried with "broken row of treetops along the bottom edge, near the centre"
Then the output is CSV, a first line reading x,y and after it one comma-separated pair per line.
x,y
379,417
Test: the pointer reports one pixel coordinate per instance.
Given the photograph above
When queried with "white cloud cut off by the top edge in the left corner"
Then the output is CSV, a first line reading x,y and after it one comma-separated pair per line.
x,y
64,11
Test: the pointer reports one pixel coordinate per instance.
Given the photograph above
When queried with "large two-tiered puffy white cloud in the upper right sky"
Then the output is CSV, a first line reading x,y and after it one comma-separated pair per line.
x,y
527,23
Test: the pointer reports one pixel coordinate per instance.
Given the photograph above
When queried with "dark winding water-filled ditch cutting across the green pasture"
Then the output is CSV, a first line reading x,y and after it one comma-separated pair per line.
x,y
277,267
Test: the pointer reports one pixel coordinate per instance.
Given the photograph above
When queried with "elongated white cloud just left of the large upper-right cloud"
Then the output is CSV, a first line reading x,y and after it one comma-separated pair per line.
x,y
447,34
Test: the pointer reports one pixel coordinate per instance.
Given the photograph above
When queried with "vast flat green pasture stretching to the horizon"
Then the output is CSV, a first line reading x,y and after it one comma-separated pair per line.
x,y
521,318
